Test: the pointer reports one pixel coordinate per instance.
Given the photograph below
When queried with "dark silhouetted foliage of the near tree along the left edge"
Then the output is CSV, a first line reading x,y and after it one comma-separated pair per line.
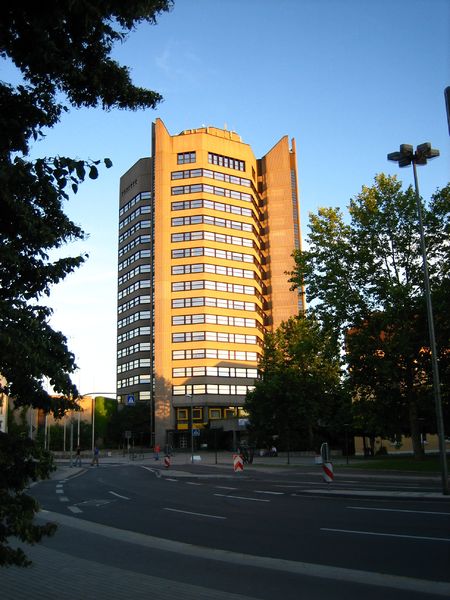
x,y
62,52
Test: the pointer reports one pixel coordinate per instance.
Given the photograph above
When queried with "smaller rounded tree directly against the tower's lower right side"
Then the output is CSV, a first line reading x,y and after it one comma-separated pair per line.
x,y
298,397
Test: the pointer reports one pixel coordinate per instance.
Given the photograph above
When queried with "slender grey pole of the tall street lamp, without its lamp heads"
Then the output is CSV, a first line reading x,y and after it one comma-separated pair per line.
x,y
434,363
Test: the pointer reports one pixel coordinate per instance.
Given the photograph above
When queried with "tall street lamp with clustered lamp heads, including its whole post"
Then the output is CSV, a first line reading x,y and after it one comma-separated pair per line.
x,y
404,158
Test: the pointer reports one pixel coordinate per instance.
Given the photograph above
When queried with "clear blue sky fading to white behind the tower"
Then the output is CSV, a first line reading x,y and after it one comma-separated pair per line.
x,y
350,80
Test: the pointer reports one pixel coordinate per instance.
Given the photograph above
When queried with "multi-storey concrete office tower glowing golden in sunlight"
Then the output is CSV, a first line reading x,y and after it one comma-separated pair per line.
x,y
206,235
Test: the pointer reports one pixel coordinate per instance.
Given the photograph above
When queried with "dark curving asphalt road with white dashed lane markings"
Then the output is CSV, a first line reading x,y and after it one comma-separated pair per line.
x,y
261,535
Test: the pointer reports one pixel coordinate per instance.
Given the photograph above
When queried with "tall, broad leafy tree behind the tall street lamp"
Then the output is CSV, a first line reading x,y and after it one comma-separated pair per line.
x,y
365,280
